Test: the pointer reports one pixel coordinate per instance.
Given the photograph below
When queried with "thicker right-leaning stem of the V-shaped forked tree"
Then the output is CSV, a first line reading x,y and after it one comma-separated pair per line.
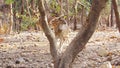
x,y
83,36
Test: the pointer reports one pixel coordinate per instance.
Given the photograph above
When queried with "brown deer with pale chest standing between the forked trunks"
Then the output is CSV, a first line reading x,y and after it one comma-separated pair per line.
x,y
61,31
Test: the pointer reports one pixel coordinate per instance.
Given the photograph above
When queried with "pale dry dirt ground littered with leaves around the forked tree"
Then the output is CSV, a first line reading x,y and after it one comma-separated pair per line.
x,y
31,50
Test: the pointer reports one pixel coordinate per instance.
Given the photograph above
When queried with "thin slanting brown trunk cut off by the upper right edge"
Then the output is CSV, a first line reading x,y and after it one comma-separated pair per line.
x,y
116,14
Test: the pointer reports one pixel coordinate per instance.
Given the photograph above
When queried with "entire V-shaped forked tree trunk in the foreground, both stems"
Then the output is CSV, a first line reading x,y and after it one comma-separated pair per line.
x,y
79,42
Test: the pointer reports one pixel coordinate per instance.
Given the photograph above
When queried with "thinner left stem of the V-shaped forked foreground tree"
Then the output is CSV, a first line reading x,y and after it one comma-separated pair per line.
x,y
49,34
